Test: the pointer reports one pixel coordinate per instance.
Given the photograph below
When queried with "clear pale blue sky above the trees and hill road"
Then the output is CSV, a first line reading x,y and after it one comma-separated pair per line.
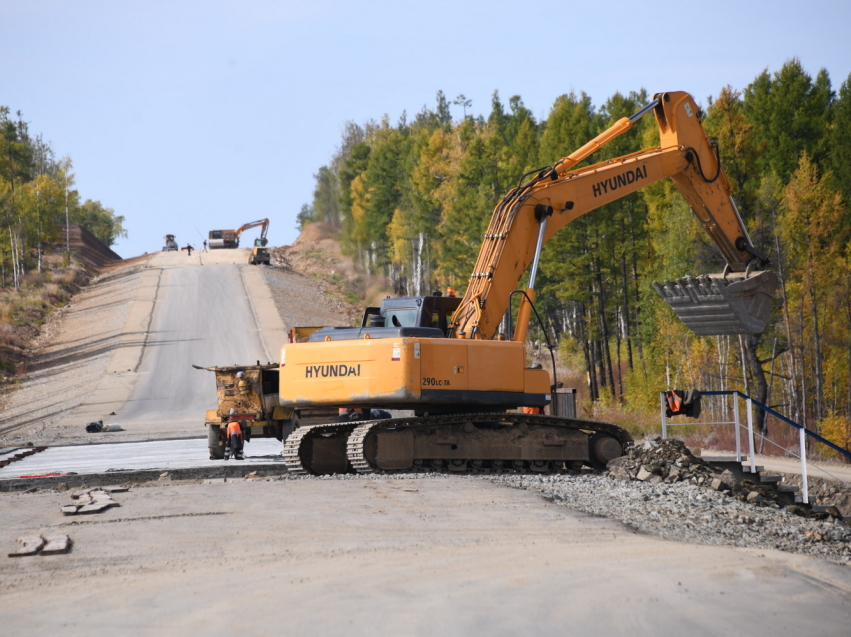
x,y
189,115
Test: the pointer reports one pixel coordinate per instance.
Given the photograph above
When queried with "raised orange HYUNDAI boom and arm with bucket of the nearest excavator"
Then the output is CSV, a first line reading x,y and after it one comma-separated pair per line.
x,y
738,301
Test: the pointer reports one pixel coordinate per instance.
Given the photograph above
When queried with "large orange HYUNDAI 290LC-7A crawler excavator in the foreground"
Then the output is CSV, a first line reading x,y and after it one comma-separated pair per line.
x,y
443,358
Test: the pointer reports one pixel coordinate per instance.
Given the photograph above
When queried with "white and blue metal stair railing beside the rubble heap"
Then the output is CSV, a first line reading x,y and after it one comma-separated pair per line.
x,y
803,433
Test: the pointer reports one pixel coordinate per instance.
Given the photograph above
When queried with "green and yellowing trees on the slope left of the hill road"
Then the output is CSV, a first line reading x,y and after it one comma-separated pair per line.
x,y
37,198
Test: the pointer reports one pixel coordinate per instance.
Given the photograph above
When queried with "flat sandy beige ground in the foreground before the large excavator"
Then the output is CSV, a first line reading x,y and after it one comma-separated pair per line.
x,y
440,556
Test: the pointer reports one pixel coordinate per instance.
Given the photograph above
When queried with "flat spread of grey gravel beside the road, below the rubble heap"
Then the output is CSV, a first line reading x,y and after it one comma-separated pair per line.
x,y
687,512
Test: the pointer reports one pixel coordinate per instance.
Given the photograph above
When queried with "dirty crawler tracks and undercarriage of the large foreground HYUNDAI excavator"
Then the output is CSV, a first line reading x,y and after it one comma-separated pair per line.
x,y
459,443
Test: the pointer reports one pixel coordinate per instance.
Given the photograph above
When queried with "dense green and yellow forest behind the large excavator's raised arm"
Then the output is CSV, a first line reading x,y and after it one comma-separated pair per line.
x,y
414,199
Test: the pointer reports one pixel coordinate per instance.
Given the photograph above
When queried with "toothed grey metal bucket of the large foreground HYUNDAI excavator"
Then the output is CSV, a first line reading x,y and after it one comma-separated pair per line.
x,y
713,304
